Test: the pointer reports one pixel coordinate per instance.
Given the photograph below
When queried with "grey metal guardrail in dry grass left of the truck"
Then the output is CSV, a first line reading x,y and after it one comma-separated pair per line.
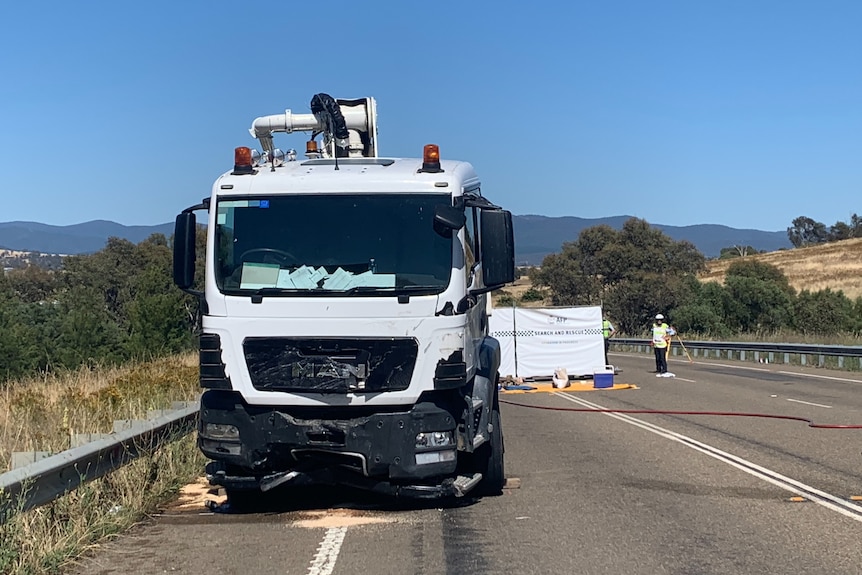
x,y
45,480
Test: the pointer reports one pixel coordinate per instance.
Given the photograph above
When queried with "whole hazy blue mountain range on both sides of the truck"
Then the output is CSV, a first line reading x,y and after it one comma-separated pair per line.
x,y
535,236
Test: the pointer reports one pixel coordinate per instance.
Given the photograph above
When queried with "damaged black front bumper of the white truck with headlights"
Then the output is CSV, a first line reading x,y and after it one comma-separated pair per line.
x,y
410,453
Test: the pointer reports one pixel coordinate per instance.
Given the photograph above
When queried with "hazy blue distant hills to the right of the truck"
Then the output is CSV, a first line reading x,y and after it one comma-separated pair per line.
x,y
538,236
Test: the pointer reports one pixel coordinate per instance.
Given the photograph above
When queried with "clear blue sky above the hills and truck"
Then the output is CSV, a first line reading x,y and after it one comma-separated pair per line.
x,y
746,113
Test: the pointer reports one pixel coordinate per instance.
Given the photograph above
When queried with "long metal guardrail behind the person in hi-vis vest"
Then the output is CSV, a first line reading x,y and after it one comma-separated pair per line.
x,y
759,350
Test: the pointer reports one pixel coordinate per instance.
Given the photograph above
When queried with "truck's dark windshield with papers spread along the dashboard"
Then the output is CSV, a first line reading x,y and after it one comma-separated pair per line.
x,y
363,244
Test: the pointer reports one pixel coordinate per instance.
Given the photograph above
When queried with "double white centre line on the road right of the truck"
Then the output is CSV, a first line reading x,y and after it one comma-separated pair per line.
x,y
822,498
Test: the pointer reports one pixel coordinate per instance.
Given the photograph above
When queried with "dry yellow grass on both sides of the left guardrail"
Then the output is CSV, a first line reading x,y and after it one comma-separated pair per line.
x,y
41,413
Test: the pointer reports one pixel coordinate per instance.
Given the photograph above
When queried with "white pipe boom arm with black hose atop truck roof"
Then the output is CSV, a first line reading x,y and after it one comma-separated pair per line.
x,y
360,118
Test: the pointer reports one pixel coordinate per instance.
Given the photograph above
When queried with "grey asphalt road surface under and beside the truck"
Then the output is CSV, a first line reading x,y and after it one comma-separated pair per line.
x,y
591,493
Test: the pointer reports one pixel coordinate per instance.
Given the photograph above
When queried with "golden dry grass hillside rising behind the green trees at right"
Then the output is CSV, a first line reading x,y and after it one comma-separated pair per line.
x,y
836,265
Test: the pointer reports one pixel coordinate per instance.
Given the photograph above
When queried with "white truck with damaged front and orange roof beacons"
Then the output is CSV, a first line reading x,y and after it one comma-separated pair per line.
x,y
344,331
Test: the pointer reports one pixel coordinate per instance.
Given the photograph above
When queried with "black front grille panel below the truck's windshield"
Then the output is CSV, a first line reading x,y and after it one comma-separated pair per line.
x,y
330,365
